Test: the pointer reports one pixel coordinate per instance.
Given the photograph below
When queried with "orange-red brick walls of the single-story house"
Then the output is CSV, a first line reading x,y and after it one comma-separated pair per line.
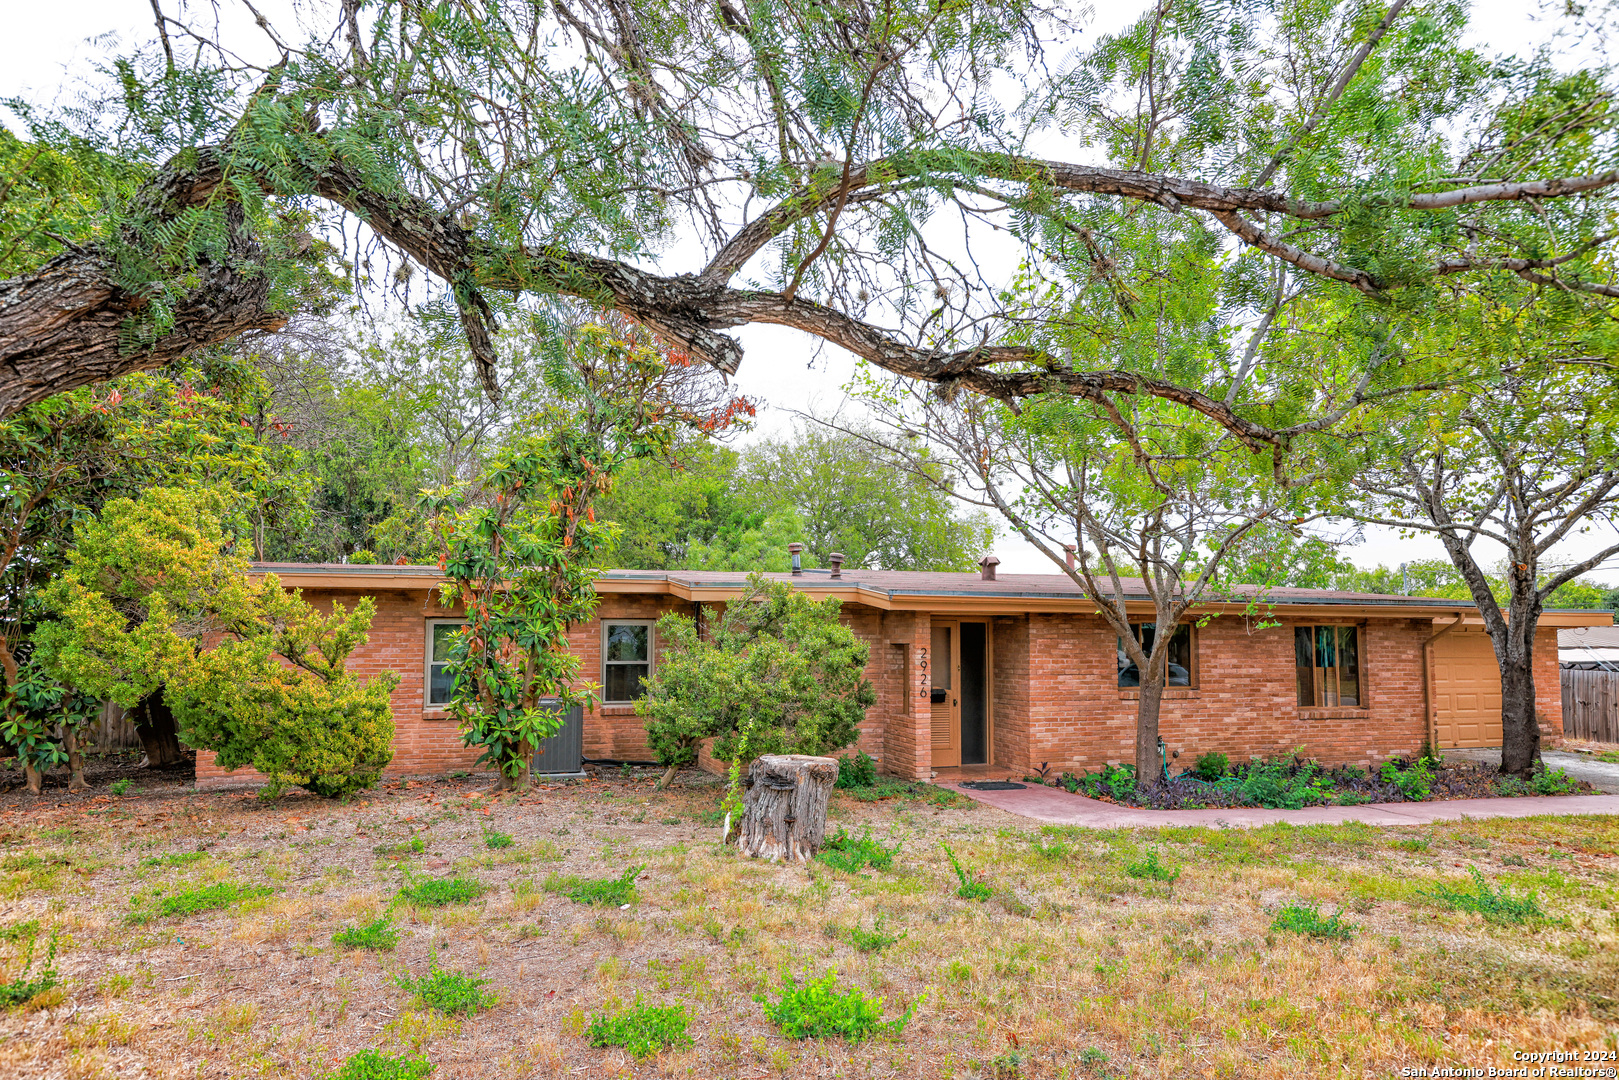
x,y
1055,692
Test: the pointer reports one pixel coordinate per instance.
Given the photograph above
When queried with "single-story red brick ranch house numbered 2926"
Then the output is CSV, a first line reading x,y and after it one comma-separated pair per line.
x,y
979,673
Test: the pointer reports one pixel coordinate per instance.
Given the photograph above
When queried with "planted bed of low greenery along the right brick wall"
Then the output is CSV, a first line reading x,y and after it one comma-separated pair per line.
x,y
1296,783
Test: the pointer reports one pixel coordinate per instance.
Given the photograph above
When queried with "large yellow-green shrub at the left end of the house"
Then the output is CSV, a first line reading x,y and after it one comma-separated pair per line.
x,y
274,695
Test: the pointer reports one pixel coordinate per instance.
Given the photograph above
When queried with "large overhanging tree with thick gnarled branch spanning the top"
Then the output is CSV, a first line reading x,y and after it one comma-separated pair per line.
x,y
707,166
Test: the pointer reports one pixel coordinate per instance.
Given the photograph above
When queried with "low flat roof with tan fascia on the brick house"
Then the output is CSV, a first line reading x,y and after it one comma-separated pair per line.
x,y
922,590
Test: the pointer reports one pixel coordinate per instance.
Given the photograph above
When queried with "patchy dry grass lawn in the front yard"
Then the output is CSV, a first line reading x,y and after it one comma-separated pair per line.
x,y
1073,969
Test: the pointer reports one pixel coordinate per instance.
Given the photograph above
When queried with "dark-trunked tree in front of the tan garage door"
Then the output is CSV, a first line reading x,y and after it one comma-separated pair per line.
x,y
1529,459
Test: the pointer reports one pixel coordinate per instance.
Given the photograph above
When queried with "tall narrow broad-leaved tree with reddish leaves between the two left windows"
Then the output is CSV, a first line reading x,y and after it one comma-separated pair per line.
x,y
522,545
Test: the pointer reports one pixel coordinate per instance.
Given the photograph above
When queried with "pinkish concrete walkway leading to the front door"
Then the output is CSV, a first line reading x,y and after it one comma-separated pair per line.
x,y
1056,807
